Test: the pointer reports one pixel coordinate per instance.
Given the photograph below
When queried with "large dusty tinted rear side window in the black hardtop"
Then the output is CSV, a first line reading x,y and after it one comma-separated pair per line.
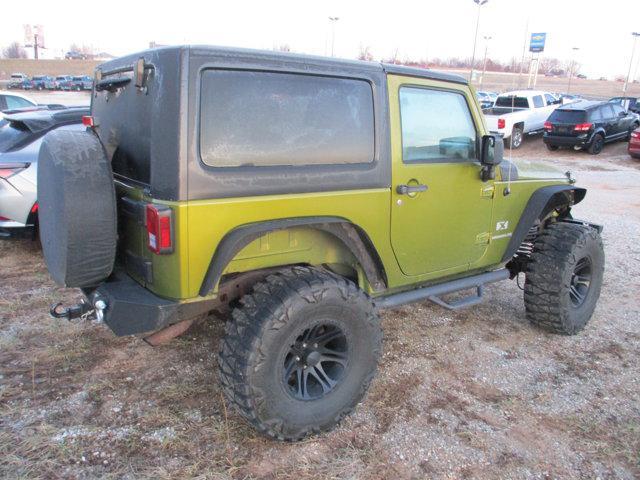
x,y
269,119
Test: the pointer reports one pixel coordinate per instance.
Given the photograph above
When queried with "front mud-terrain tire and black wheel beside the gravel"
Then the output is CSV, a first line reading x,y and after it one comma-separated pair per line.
x,y
564,277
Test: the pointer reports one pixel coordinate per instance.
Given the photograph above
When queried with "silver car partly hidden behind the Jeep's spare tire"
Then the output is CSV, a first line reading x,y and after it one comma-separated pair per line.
x,y
21,135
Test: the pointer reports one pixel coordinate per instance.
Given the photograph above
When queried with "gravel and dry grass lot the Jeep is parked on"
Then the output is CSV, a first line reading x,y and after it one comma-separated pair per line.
x,y
472,394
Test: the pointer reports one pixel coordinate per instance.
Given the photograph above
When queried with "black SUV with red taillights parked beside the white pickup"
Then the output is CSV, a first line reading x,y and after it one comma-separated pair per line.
x,y
588,125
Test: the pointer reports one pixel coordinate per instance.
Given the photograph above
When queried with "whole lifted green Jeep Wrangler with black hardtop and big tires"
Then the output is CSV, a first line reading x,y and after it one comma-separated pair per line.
x,y
303,194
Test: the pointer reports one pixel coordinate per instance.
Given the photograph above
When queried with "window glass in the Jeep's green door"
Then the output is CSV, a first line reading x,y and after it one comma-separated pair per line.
x,y
436,126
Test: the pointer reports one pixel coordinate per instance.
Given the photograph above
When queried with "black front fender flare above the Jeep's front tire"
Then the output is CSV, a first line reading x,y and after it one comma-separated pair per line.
x,y
541,203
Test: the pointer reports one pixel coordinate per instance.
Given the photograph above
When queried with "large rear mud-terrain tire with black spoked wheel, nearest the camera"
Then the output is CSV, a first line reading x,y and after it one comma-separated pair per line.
x,y
273,335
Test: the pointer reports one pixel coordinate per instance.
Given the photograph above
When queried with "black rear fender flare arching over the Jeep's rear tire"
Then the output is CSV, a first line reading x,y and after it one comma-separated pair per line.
x,y
353,237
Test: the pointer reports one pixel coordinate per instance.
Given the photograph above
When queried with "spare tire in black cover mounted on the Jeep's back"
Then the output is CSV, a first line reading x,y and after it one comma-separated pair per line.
x,y
77,208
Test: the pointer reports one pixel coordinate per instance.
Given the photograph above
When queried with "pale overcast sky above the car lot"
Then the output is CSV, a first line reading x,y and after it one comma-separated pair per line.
x,y
414,29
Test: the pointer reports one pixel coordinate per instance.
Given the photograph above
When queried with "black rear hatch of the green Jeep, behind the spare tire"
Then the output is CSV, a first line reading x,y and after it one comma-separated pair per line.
x,y
136,109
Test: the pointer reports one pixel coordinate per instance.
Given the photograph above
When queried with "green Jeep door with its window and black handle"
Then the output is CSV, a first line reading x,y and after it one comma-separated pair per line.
x,y
441,210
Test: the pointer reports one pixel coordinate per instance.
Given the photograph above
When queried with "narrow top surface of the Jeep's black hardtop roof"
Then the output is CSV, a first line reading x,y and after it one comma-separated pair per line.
x,y
239,54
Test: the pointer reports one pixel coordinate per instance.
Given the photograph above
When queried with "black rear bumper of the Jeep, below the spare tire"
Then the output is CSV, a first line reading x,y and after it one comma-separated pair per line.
x,y
132,309
